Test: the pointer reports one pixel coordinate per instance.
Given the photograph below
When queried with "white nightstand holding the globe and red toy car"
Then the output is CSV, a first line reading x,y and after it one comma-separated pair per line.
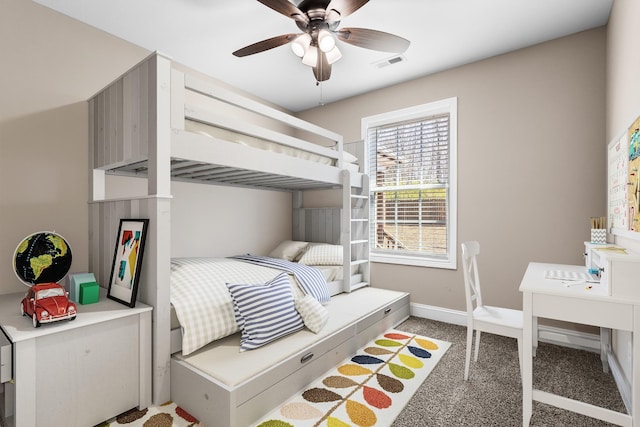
x,y
76,373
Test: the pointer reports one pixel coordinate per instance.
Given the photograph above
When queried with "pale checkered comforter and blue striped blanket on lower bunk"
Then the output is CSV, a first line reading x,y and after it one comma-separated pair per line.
x,y
205,308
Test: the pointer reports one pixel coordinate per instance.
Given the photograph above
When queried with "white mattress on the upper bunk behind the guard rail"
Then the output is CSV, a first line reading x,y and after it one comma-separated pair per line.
x,y
350,161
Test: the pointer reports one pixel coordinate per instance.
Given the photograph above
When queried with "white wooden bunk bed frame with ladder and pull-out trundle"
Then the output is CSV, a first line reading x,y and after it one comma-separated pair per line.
x,y
165,122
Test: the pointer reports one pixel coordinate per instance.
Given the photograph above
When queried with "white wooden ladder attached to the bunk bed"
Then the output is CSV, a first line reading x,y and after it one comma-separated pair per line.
x,y
355,232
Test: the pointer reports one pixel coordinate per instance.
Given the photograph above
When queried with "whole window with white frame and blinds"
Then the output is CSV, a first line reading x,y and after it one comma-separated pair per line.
x,y
411,162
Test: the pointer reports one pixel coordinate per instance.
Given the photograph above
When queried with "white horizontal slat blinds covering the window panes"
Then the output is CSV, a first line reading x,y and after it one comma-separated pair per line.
x,y
409,169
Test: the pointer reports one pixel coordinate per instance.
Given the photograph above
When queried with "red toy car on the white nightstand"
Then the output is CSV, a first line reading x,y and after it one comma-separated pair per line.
x,y
47,302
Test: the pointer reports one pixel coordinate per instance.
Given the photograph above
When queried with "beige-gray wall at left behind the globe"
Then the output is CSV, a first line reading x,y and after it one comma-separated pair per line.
x,y
51,65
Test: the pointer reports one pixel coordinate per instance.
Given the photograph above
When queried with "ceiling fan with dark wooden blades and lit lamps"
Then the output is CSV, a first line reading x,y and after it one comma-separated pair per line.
x,y
316,45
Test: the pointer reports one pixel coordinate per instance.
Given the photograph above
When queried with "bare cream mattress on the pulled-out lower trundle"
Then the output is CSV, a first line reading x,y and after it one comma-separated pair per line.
x,y
223,361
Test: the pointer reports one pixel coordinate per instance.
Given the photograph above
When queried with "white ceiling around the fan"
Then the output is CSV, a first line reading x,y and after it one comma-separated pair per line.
x,y
202,34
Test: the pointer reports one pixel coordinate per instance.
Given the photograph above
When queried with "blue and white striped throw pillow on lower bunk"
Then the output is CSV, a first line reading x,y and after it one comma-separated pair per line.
x,y
265,312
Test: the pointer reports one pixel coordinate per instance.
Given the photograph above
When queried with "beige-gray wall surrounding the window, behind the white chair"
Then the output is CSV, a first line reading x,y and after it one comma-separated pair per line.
x,y
531,161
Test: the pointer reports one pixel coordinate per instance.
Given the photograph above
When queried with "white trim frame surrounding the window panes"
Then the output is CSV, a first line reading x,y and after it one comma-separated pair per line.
x,y
450,106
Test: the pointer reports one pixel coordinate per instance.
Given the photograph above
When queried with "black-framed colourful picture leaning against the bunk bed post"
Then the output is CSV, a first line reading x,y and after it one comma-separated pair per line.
x,y
127,261
